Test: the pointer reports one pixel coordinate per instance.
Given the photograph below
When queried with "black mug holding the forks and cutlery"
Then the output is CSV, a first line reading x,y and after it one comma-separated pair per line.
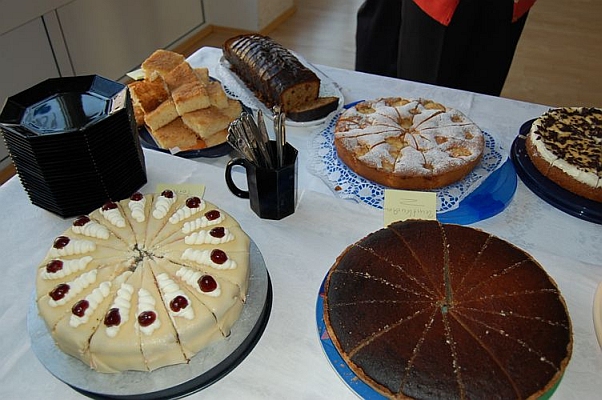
x,y
272,192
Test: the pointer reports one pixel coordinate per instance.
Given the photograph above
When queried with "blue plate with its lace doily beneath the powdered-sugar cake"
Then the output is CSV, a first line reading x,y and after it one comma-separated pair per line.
x,y
495,173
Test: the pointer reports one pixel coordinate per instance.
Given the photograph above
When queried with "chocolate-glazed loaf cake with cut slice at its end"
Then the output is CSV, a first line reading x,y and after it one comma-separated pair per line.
x,y
277,77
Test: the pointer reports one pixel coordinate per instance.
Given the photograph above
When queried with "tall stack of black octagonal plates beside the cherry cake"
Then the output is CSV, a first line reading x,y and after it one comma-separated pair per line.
x,y
74,143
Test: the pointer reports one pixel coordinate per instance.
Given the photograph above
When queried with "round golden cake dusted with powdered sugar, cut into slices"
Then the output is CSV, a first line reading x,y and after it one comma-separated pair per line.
x,y
408,144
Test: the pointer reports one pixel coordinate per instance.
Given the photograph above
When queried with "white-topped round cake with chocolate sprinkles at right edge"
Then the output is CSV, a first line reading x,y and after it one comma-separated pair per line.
x,y
565,145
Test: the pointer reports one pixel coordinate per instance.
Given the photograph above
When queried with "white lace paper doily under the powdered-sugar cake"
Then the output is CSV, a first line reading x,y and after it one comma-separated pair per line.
x,y
347,184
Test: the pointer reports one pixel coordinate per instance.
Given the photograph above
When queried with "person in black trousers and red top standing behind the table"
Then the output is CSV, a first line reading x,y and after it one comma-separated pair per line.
x,y
462,44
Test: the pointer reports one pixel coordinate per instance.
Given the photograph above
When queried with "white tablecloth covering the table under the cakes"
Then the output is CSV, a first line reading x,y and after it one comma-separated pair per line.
x,y
288,361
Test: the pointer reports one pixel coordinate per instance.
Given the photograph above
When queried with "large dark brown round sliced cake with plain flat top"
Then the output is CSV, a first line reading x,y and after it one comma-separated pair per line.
x,y
427,310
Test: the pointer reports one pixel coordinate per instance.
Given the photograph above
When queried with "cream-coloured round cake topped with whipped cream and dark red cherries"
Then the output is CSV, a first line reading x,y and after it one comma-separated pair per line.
x,y
144,282
